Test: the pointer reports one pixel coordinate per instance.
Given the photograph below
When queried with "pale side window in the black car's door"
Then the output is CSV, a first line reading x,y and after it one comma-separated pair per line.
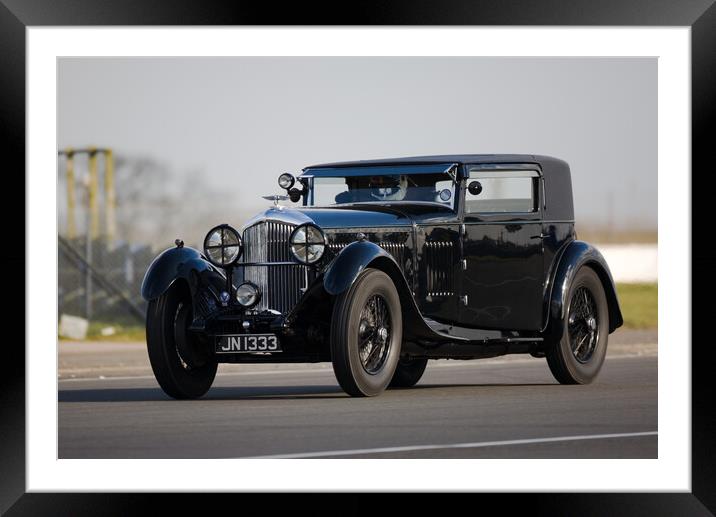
x,y
501,191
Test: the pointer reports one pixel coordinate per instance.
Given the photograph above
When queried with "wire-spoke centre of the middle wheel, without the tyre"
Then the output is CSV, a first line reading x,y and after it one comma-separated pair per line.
x,y
374,334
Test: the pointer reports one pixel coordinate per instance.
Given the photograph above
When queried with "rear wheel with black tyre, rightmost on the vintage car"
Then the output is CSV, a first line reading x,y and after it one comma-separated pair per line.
x,y
577,355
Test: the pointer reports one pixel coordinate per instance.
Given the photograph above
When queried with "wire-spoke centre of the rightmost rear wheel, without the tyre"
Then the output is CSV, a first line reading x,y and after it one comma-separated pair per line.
x,y
583,324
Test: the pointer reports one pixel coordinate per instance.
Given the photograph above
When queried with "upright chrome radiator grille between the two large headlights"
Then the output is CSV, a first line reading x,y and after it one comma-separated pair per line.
x,y
280,285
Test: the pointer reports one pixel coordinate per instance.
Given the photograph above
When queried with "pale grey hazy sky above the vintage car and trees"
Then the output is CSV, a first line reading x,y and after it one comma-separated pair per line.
x,y
243,121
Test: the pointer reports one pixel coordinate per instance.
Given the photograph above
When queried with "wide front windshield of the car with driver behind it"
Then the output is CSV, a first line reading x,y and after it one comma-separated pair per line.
x,y
385,188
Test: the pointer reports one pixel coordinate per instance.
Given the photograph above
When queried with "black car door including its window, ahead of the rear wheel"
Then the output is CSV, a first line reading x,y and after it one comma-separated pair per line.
x,y
502,271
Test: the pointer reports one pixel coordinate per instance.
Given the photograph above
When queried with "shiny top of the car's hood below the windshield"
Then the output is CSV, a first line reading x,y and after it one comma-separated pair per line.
x,y
348,216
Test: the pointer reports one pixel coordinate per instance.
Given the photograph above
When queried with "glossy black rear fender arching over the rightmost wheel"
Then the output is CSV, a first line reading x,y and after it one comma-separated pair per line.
x,y
576,255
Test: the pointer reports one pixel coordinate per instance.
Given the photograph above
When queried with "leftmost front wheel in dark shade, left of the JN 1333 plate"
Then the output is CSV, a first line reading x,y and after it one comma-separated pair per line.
x,y
181,363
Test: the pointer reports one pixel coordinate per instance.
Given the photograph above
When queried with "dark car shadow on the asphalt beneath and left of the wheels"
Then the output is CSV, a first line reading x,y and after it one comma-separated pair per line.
x,y
252,393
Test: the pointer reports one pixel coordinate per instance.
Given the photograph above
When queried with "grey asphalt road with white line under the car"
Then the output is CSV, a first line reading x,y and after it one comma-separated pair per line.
x,y
502,408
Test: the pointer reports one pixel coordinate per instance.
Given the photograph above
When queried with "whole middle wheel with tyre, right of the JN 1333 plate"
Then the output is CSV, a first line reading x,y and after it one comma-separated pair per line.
x,y
366,333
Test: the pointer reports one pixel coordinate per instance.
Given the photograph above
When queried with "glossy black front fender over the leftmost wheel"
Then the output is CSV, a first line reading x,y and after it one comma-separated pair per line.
x,y
174,263
